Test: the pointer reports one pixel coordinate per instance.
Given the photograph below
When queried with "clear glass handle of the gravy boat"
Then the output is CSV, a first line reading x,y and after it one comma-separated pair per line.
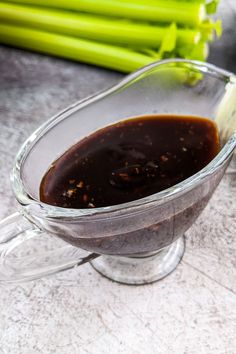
x,y
24,254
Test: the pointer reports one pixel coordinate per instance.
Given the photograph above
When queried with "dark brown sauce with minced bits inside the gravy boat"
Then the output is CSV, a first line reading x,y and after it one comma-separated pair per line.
x,y
130,160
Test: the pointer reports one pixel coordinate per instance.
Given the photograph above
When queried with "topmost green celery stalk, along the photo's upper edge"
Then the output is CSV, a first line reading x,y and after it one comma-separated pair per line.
x,y
181,12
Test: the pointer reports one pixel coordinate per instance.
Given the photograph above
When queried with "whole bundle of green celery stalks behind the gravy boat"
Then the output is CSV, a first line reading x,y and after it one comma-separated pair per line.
x,y
118,34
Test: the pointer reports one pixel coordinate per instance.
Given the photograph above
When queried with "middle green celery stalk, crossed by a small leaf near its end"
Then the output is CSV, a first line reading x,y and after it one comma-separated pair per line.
x,y
93,27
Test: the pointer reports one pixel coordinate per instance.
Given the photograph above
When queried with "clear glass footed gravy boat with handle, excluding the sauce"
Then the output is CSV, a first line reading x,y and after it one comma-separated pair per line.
x,y
137,242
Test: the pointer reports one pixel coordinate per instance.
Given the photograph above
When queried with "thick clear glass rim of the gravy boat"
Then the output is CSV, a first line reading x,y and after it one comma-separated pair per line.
x,y
150,201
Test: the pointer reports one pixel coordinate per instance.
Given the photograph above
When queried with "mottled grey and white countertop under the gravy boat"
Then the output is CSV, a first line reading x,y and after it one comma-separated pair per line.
x,y
192,311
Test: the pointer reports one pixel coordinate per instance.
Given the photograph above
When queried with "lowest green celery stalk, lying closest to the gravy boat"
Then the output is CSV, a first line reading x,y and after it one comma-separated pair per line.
x,y
118,58
